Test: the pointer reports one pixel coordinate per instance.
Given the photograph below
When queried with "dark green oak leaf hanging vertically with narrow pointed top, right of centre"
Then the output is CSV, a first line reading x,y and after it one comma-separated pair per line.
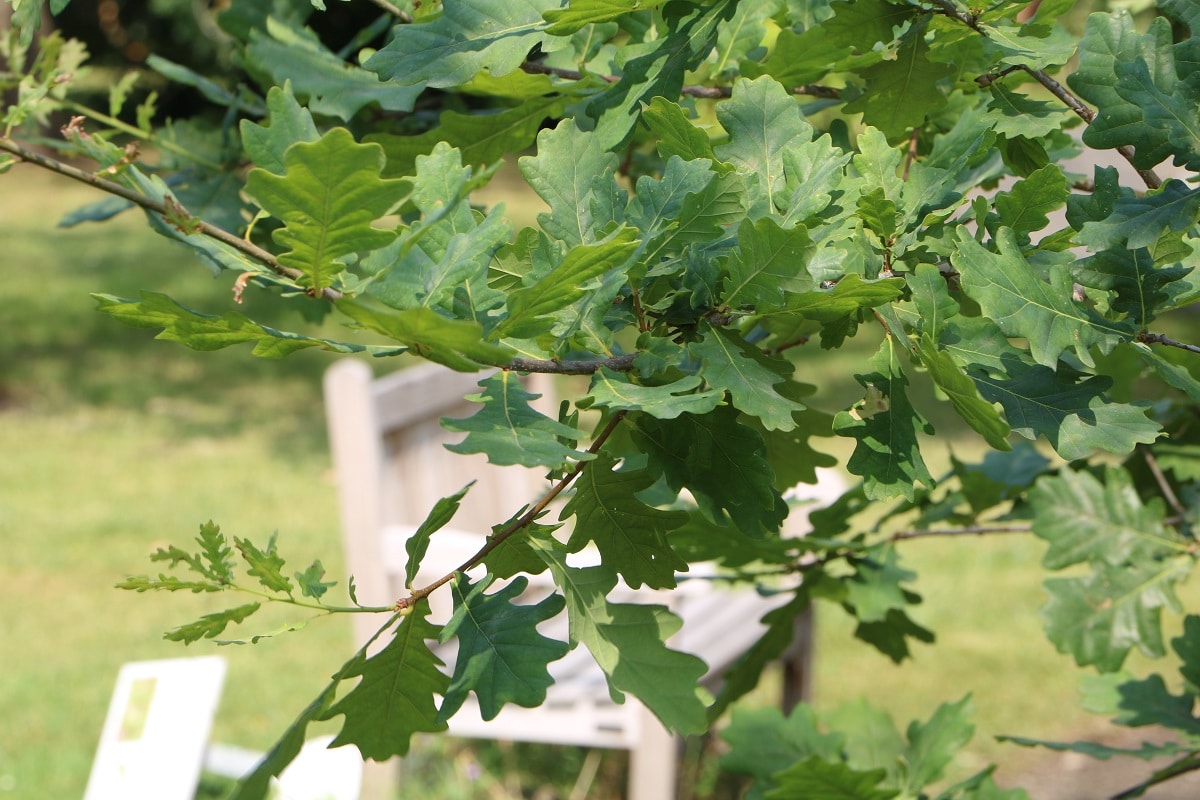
x,y
885,425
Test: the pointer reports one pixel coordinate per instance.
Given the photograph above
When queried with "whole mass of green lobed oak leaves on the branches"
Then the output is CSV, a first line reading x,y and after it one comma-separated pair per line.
x,y
712,213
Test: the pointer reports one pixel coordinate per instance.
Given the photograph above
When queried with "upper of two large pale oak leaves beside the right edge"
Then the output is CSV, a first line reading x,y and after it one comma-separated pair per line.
x,y
1102,522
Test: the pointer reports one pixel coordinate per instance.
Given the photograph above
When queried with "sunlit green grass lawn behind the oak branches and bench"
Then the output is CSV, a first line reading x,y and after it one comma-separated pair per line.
x,y
115,444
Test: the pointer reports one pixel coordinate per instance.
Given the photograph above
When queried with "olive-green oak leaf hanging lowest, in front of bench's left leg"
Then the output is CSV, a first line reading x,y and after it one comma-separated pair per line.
x,y
395,697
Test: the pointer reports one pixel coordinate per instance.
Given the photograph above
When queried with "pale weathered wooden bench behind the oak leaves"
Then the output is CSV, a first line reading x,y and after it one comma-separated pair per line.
x,y
392,466
